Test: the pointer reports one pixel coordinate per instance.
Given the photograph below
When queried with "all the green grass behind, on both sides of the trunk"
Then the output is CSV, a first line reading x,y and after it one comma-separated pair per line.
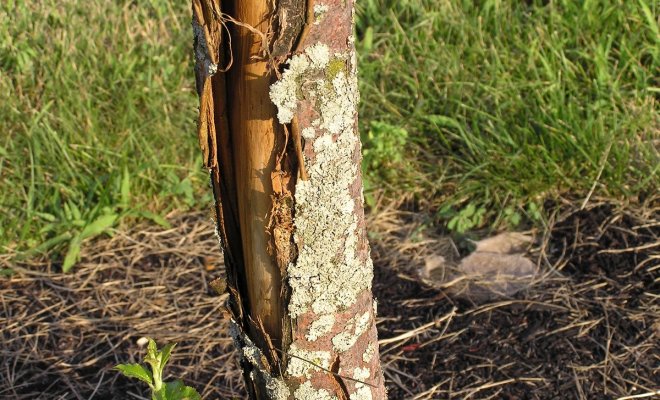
x,y
482,109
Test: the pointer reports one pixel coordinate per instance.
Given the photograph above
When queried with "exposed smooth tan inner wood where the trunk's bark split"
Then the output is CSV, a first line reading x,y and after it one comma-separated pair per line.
x,y
254,129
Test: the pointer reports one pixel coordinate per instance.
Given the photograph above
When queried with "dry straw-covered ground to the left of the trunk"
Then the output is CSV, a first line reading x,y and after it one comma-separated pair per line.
x,y
63,334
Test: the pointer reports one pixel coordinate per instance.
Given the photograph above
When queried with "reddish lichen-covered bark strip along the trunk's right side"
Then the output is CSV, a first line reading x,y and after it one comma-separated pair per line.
x,y
329,279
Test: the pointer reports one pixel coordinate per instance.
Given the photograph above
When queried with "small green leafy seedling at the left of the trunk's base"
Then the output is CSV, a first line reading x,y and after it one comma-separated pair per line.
x,y
174,390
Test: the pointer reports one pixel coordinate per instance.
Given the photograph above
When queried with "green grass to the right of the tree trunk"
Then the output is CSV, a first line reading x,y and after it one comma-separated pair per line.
x,y
506,104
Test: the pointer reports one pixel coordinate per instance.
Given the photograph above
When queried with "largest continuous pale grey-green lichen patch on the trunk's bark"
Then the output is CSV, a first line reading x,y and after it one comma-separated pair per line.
x,y
329,273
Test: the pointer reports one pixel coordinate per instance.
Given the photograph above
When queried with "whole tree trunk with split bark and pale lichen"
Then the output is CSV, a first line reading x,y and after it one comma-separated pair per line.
x,y
278,130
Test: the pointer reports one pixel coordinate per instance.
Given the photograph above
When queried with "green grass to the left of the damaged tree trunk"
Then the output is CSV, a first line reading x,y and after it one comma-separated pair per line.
x,y
97,108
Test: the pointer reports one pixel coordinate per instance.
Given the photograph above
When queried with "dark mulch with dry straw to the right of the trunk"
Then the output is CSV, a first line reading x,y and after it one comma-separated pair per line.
x,y
589,329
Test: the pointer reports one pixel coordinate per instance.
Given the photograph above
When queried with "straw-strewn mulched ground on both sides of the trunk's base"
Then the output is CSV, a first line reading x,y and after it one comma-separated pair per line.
x,y
588,329
